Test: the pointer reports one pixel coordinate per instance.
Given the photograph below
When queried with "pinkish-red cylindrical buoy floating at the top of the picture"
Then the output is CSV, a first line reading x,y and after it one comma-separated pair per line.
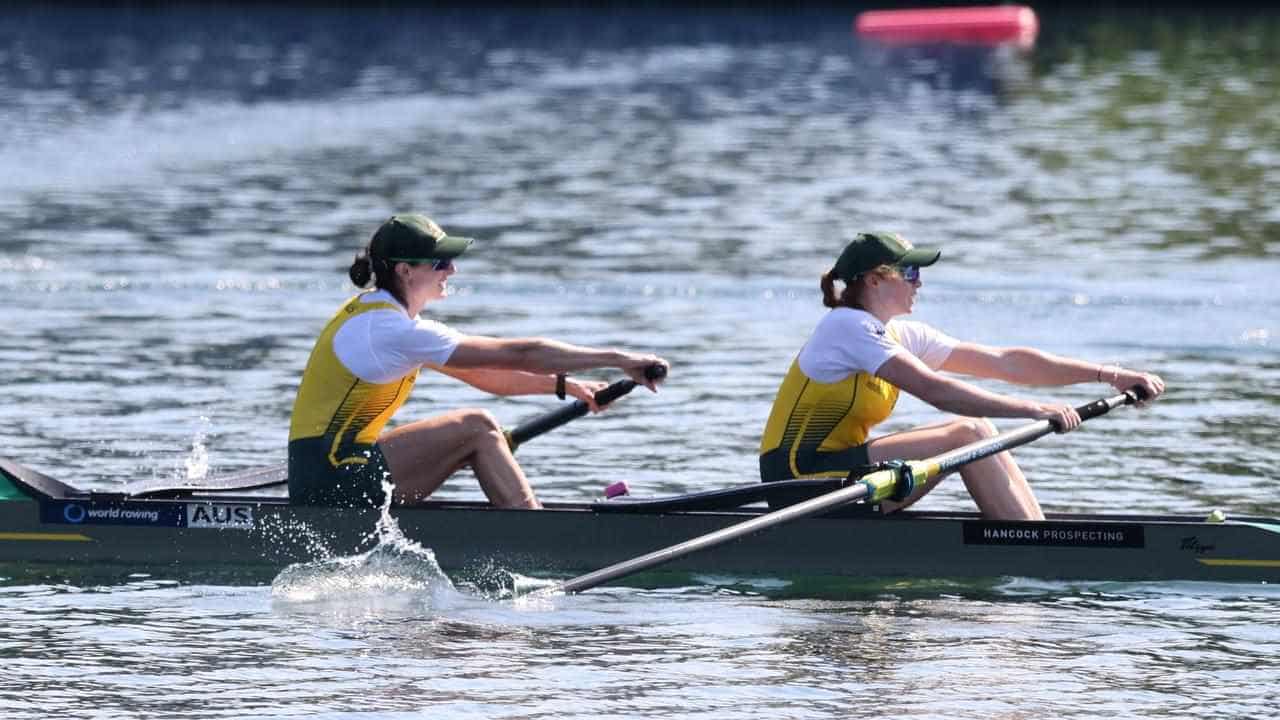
x,y
977,26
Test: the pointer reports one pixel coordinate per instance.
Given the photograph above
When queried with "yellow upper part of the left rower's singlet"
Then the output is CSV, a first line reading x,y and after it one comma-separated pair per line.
x,y
335,405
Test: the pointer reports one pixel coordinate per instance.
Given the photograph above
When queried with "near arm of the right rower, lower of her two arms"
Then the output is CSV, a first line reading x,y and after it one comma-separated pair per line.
x,y
957,397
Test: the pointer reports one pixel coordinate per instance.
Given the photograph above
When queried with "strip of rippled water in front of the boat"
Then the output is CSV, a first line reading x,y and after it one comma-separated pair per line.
x,y
162,650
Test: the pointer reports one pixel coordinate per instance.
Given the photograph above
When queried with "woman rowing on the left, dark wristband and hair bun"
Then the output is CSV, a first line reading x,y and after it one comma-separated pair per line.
x,y
368,358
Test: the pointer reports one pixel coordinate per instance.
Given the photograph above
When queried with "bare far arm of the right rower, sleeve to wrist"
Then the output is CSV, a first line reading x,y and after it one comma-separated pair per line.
x,y
1021,366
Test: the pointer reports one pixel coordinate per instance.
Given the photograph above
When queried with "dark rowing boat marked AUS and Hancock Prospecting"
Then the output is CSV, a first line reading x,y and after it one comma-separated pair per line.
x,y
44,521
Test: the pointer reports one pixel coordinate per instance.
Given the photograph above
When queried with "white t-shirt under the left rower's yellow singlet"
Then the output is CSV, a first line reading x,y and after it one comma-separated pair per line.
x,y
385,345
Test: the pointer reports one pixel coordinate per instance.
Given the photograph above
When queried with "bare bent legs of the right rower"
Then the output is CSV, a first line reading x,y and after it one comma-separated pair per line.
x,y
996,484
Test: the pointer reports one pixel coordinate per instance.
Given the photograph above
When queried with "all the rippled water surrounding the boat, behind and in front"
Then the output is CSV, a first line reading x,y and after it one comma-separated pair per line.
x,y
182,189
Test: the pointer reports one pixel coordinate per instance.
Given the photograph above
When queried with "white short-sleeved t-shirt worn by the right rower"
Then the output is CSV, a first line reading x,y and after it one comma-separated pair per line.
x,y
849,341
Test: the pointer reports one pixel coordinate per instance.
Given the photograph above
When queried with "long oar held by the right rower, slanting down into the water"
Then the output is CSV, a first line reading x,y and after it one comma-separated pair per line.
x,y
895,482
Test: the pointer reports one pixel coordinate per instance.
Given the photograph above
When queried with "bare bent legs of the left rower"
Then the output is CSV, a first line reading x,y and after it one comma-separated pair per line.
x,y
422,455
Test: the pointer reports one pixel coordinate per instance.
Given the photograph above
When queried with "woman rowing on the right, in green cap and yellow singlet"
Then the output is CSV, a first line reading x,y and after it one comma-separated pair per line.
x,y
848,376
